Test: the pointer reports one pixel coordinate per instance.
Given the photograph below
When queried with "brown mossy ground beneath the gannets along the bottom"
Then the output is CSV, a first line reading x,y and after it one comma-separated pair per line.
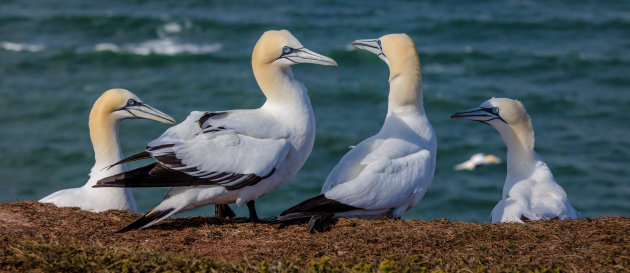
x,y
44,238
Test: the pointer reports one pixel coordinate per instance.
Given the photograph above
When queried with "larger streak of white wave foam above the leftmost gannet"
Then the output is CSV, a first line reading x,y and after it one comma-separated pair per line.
x,y
166,46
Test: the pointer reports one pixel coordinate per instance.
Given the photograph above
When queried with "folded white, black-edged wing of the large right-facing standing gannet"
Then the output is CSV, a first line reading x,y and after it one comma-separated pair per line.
x,y
200,152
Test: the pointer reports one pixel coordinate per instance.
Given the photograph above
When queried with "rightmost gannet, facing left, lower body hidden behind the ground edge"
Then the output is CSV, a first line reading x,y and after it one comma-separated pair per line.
x,y
530,191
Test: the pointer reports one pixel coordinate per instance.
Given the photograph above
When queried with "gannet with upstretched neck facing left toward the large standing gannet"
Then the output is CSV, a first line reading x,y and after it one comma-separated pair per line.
x,y
388,173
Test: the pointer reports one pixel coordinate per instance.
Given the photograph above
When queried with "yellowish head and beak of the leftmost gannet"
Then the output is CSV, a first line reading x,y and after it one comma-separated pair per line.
x,y
121,104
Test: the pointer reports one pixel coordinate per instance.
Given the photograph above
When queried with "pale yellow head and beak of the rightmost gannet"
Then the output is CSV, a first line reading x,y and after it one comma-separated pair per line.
x,y
508,116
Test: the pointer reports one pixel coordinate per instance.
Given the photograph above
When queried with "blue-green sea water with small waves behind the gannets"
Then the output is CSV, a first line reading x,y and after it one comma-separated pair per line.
x,y
569,62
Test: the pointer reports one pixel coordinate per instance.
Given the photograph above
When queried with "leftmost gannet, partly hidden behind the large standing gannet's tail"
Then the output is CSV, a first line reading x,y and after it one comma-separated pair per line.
x,y
107,113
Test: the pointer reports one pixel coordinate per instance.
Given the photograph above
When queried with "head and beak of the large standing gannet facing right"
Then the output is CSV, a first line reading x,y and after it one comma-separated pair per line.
x,y
280,47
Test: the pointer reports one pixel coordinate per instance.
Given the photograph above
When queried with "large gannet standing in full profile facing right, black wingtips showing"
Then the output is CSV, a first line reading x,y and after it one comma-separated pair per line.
x,y
234,156
